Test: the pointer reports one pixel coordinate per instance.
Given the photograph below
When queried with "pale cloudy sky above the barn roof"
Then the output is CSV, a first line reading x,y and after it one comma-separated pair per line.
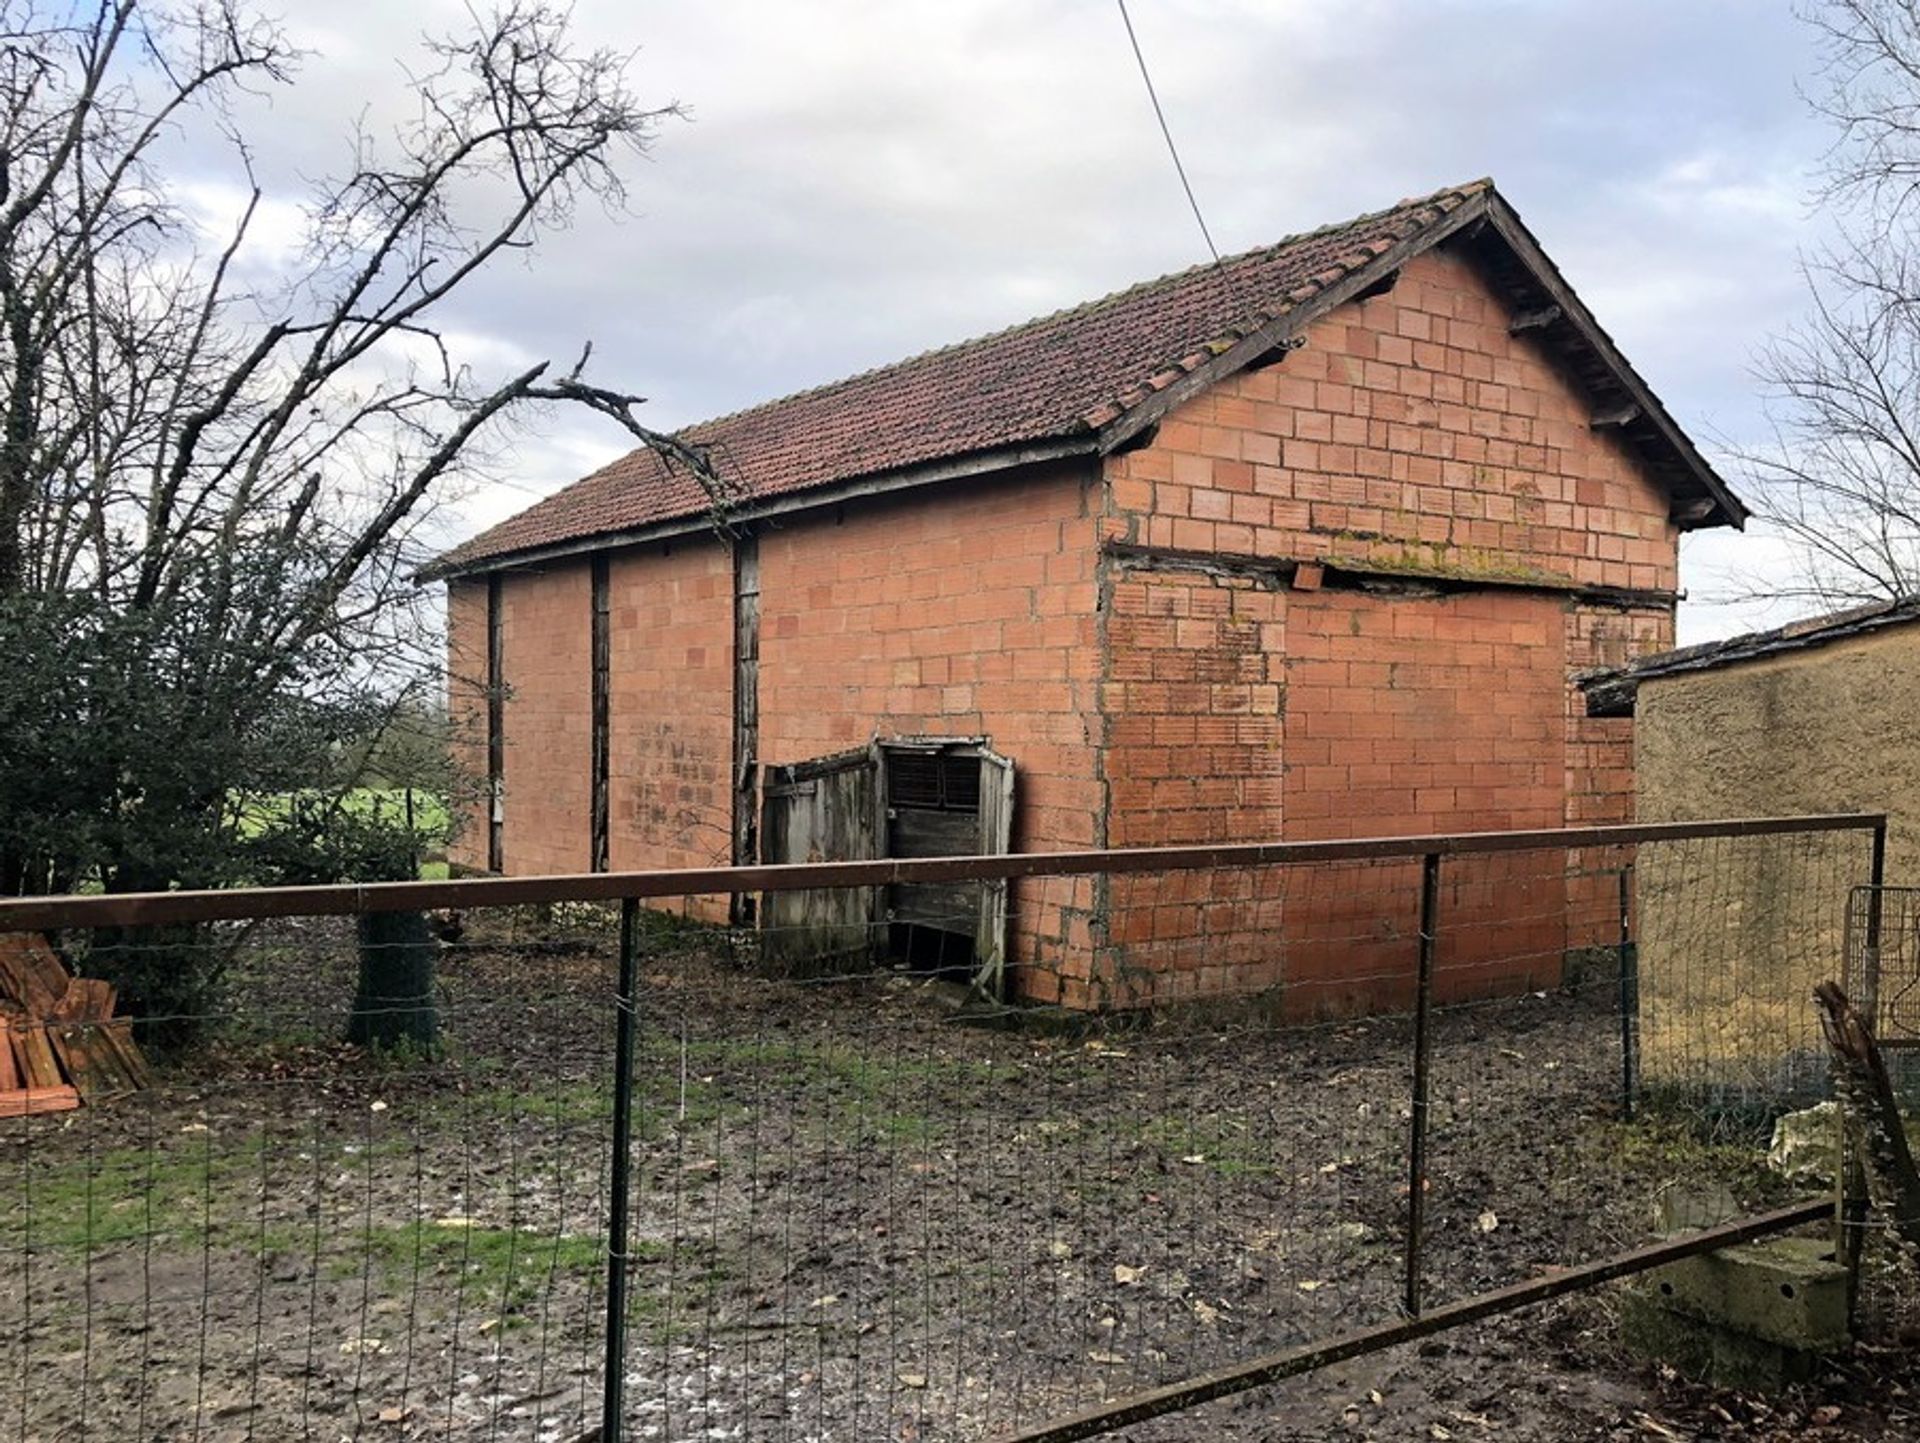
x,y
859,181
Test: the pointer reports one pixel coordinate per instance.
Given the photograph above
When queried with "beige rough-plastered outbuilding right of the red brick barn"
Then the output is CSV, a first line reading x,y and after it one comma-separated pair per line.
x,y
1804,721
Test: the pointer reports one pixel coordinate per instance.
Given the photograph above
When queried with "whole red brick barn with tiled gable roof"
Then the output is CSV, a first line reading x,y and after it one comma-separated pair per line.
x,y
1293,548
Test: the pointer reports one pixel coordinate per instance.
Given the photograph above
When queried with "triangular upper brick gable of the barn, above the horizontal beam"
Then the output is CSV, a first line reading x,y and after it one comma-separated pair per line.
x,y
1410,431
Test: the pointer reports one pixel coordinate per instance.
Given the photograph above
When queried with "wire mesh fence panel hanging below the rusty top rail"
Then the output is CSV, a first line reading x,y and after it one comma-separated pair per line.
x,y
873,1202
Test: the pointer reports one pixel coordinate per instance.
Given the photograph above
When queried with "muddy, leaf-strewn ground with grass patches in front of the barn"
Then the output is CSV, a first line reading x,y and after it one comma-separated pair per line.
x,y
855,1218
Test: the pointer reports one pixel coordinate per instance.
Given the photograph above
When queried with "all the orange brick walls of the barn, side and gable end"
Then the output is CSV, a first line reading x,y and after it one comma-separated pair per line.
x,y
1147,703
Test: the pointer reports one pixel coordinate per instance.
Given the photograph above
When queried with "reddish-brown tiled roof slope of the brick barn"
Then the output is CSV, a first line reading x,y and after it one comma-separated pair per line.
x,y
1065,375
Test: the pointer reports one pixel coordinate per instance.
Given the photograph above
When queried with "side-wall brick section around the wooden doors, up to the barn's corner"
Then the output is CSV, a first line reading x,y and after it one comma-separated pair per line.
x,y
963,613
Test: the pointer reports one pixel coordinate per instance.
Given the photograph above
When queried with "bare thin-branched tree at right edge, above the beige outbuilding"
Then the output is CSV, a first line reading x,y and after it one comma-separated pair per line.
x,y
1840,477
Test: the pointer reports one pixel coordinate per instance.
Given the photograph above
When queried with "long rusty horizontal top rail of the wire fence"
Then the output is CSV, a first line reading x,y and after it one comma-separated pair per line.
x,y
352,899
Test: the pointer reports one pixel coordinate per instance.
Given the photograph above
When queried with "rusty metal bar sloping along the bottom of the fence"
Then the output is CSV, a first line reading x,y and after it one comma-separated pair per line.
x,y
1295,1361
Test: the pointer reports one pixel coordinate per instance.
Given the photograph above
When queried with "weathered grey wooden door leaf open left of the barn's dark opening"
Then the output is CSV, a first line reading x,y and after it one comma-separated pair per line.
x,y
821,811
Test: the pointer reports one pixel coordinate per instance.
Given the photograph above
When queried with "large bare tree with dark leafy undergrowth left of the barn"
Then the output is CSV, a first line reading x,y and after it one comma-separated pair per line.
x,y
214,486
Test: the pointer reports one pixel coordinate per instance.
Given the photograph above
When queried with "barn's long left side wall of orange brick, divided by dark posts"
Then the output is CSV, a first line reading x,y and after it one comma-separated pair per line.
x,y
963,613
